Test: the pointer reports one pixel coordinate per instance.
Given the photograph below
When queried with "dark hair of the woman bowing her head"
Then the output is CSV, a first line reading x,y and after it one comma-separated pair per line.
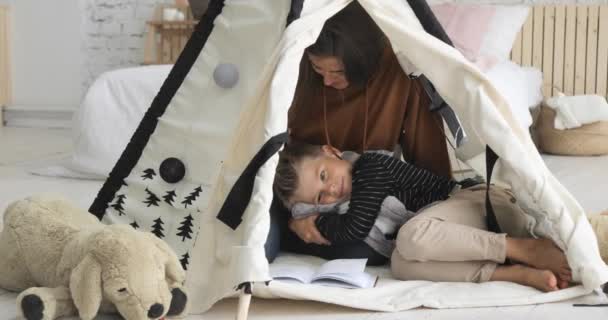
x,y
354,37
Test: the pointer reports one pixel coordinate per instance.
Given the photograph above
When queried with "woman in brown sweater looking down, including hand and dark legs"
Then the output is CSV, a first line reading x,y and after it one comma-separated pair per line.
x,y
353,94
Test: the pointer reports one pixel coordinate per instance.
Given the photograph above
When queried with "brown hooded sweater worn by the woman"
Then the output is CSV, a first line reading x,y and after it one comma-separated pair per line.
x,y
397,111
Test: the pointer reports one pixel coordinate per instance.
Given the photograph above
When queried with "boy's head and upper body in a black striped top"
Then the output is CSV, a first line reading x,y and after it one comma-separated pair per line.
x,y
366,182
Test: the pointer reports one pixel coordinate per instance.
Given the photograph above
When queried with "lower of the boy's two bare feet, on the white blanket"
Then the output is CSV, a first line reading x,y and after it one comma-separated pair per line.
x,y
543,280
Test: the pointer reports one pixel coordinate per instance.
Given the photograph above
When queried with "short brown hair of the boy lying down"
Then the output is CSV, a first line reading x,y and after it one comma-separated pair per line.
x,y
286,177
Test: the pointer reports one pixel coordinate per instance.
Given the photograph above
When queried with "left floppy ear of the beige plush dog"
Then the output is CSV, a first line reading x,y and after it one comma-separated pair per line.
x,y
85,287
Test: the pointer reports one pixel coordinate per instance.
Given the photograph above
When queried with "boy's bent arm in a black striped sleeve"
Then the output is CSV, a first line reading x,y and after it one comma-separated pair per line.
x,y
372,183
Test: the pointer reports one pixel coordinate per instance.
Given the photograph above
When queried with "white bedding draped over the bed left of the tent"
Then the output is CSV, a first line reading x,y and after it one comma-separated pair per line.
x,y
109,114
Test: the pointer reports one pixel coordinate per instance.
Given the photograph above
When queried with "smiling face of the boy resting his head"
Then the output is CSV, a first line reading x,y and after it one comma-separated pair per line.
x,y
323,179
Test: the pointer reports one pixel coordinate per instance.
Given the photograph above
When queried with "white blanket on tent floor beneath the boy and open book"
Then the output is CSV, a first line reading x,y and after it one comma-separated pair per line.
x,y
395,295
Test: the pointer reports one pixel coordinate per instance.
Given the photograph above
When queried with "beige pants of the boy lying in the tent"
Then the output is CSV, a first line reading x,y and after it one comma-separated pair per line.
x,y
448,241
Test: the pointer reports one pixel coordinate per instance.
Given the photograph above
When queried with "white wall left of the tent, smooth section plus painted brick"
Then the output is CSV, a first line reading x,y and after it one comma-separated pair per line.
x,y
59,47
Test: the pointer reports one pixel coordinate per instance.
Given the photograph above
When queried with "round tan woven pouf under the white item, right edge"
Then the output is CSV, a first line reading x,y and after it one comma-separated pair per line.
x,y
587,140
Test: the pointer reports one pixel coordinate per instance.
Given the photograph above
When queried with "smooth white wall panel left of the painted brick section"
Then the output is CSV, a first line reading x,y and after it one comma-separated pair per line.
x,y
46,55
